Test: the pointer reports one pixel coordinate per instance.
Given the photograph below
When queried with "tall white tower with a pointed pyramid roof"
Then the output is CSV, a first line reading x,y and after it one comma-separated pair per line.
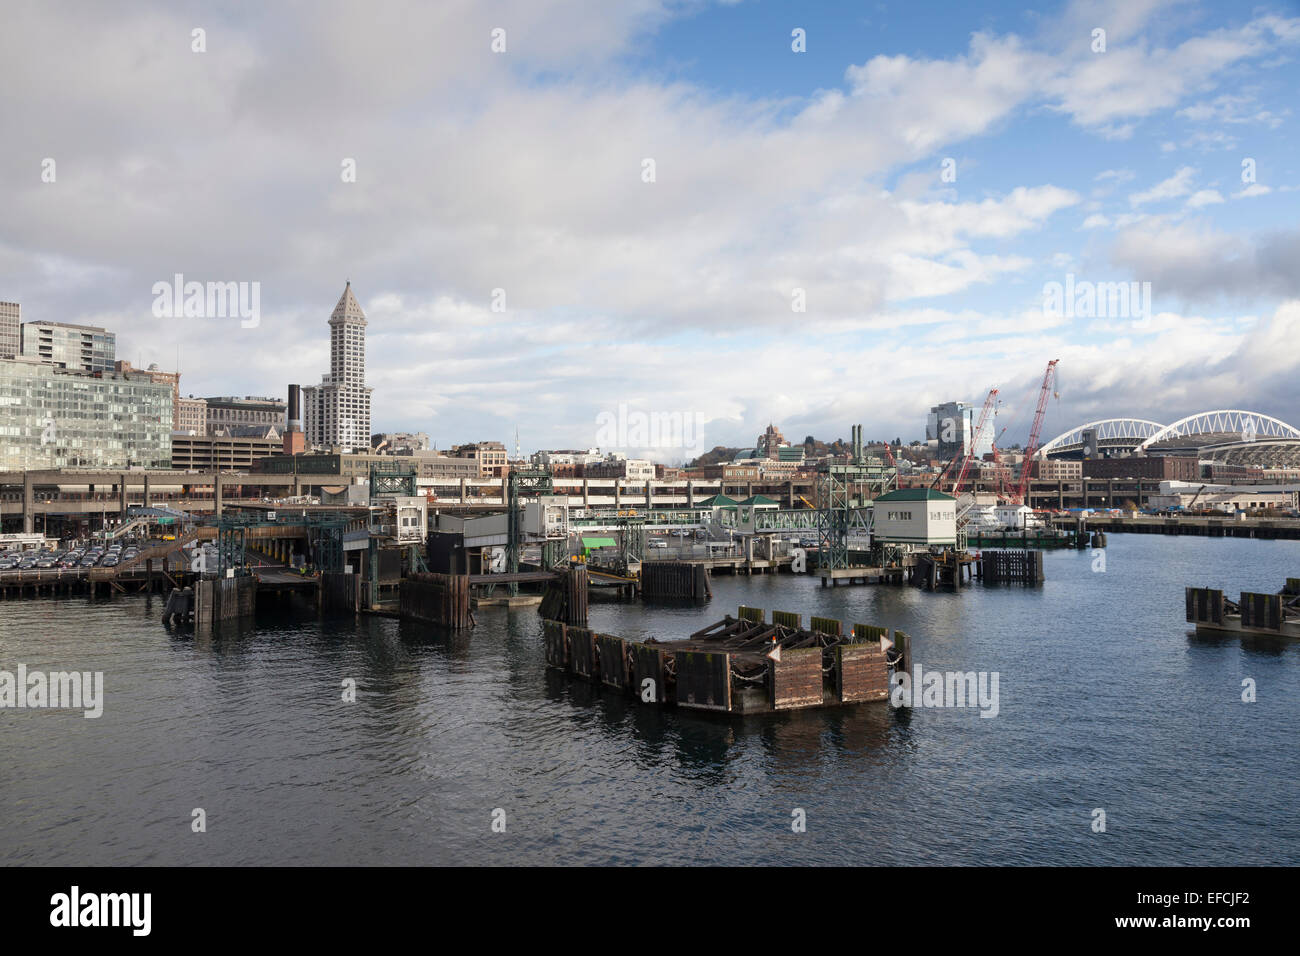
x,y
337,413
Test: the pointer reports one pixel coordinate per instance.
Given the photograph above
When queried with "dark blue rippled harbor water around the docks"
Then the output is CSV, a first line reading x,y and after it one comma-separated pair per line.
x,y
1106,702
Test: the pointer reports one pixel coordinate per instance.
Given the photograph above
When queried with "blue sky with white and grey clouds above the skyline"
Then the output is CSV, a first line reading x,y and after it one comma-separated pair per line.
x,y
738,214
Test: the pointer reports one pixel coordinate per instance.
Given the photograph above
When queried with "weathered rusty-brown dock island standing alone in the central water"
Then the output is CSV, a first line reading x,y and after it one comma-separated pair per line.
x,y
739,665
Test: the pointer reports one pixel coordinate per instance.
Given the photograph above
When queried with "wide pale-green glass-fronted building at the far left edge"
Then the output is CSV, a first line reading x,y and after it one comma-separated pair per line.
x,y
51,418
